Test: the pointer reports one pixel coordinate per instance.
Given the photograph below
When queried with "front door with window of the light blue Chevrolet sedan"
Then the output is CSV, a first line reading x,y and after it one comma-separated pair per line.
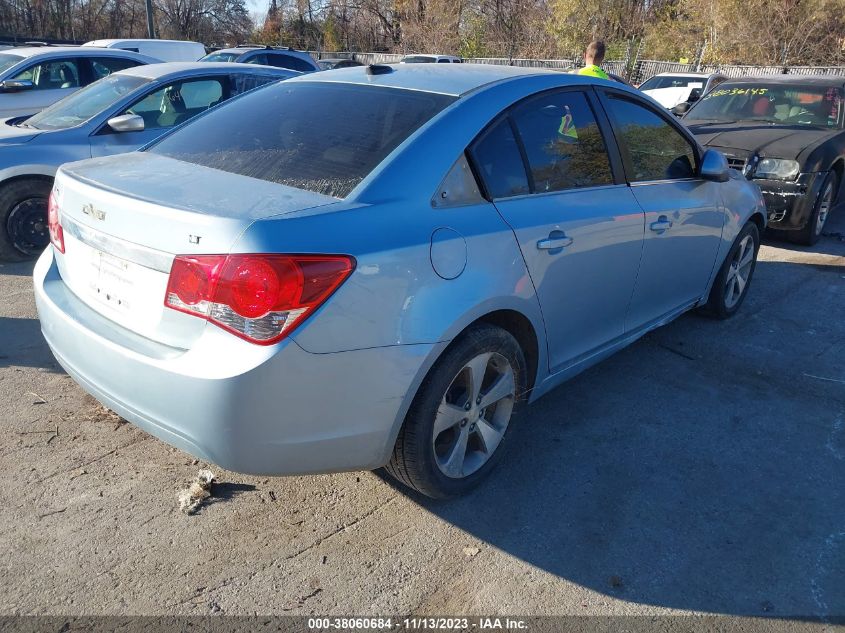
x,y
684,214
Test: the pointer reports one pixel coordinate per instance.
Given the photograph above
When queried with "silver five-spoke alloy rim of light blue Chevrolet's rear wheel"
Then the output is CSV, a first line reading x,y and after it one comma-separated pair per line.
x,y
474,414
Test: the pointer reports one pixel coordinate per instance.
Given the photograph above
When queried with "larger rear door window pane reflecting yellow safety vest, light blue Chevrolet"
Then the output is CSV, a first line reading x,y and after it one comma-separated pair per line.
x,y
563,144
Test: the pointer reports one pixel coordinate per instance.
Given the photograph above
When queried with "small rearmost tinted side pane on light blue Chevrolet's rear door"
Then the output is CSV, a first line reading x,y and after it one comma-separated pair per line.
x,y
498,159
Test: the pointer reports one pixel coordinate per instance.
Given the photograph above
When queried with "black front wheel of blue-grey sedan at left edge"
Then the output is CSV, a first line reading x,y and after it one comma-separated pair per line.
x,y
23,219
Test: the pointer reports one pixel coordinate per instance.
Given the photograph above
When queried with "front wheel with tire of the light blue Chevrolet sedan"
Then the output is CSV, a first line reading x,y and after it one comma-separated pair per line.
x,y
734,278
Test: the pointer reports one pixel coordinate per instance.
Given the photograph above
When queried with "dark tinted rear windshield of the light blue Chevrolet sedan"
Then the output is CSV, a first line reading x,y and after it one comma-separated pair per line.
x,y
323,137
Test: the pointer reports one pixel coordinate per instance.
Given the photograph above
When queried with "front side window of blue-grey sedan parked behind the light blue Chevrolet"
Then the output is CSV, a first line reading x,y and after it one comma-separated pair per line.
x,y
177,102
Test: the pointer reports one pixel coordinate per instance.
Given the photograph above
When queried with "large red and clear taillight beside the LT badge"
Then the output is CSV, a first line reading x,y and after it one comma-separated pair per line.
x,y
258,297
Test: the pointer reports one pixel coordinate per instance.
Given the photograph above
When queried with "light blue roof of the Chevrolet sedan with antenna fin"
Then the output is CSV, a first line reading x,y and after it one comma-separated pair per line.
x,y
456,80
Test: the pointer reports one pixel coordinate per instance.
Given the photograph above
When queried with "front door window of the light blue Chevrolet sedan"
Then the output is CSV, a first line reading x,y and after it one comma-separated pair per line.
x,y
655,149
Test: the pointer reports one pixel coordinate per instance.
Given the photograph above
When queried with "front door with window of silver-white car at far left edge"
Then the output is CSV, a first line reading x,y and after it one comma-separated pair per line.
x,y
51,80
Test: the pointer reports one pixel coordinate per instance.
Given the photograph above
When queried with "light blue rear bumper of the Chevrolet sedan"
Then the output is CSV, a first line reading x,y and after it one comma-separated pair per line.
x,y
270,411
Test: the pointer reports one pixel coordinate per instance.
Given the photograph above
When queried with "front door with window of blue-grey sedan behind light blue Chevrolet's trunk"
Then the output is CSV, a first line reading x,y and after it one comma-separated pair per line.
x,y
162,108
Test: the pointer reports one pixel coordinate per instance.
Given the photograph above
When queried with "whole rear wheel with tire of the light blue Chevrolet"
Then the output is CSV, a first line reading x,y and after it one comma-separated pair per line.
x,y
457,426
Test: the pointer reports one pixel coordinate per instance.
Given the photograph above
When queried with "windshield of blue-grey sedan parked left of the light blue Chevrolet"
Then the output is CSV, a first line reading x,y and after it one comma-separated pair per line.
x,y
86,103
